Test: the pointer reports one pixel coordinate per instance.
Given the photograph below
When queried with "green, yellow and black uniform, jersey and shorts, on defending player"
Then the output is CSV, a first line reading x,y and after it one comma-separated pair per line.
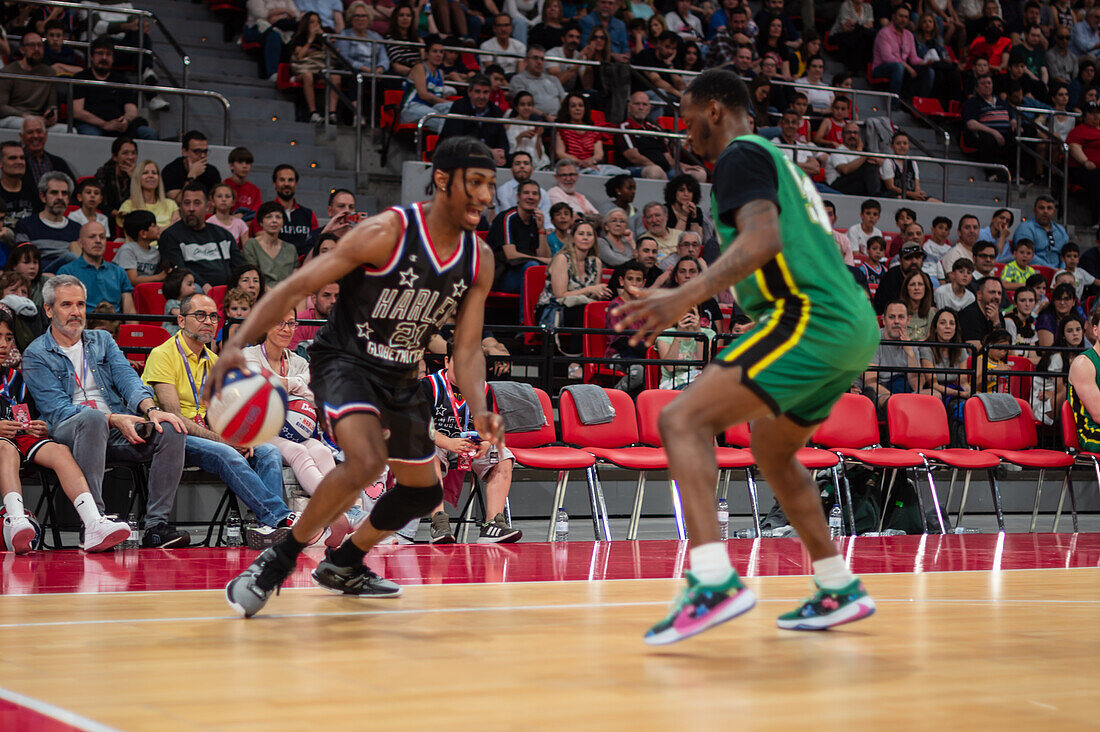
x,y
816,330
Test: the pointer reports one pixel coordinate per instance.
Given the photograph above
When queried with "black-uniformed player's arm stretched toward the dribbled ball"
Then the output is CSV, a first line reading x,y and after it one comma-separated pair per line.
x,y
372,243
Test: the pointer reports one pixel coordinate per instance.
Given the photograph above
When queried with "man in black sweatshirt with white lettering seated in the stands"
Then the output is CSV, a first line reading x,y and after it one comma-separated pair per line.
x,y
206,249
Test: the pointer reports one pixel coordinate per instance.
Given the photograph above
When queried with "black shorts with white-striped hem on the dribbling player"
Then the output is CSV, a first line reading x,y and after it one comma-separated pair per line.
x,y
345,386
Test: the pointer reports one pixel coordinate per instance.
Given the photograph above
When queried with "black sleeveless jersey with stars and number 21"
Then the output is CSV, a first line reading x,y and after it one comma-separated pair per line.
x,y
386,316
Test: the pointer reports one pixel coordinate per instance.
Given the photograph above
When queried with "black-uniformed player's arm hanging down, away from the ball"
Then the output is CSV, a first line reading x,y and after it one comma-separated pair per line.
x,y
469,357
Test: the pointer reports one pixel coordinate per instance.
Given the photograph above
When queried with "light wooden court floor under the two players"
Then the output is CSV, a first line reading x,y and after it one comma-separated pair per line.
x,y
1010,650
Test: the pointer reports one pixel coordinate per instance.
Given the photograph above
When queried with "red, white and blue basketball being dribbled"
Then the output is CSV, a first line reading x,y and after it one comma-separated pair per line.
x,y
249,409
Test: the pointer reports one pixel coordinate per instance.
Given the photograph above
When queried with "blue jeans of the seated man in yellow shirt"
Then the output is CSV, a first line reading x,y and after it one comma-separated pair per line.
x,y
258,482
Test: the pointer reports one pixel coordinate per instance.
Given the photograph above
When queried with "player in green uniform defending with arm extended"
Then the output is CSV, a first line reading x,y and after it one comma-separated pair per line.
x,y
816,334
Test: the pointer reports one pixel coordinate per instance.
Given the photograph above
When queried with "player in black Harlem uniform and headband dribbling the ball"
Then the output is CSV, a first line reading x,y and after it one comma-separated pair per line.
x,y
402,274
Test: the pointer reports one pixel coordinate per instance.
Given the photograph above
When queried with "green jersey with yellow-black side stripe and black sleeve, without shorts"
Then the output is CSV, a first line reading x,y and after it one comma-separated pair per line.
x,y
807,292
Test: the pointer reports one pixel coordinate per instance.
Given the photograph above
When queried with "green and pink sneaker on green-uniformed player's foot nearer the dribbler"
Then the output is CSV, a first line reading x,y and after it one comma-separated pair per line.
x,y
700,607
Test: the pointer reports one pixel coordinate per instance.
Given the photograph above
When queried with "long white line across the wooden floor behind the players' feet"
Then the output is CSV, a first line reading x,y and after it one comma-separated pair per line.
x,y
437,611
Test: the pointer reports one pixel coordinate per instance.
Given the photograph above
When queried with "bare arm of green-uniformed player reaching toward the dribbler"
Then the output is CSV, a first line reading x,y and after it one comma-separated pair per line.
x,y
758,243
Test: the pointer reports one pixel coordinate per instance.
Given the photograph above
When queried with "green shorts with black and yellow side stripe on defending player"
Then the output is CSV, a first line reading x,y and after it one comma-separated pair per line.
x,y
800,366
